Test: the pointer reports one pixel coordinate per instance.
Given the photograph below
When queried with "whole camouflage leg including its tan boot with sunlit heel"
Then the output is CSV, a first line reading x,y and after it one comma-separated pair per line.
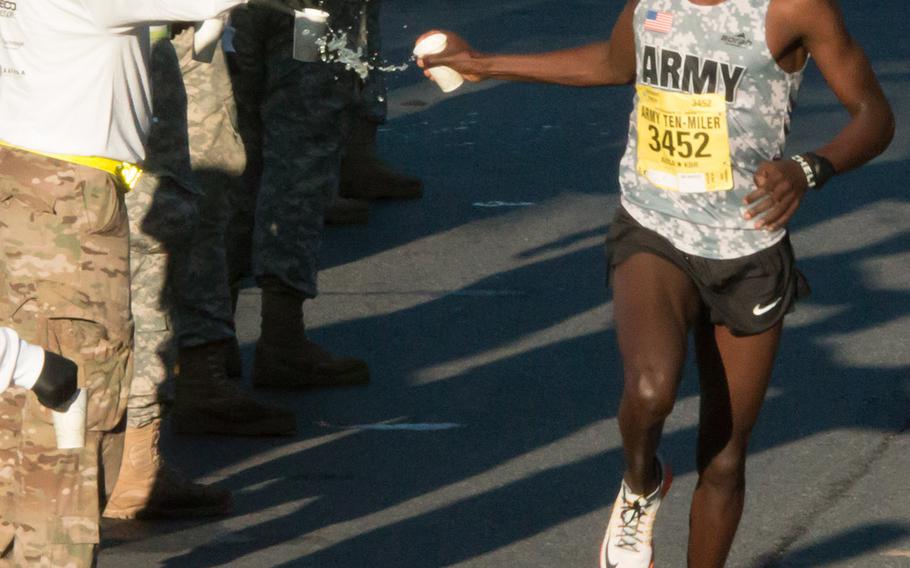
x,y
146,486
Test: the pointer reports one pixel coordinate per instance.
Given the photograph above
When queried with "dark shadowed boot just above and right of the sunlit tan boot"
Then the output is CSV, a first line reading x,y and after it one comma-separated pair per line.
x,y
208,402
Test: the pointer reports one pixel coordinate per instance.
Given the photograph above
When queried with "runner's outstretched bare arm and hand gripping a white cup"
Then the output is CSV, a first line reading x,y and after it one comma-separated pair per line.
x,y
602,63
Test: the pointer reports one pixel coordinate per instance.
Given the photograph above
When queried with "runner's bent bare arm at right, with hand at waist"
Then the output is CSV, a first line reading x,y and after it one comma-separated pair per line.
x,y
818,27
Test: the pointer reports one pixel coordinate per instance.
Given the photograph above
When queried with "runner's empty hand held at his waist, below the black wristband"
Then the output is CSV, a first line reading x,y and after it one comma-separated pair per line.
x,y
780,186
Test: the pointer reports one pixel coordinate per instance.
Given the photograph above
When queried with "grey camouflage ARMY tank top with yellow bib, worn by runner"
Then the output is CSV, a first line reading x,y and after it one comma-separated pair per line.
x,y
711,105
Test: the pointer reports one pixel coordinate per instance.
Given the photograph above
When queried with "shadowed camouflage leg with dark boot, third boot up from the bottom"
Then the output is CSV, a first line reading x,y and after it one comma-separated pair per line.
x,y
306,116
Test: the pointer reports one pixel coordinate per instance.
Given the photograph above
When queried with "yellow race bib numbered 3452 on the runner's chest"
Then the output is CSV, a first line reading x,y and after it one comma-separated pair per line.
x,y
683,143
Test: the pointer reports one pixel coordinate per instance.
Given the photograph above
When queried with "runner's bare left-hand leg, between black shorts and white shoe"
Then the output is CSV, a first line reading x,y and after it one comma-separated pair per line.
x,y
655,304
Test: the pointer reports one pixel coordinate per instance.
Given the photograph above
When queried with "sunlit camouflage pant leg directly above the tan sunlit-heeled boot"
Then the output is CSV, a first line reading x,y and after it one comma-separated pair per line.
x,y
152,339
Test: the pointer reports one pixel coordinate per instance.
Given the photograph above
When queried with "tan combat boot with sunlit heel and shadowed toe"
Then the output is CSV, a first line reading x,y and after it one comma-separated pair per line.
x,y
149,489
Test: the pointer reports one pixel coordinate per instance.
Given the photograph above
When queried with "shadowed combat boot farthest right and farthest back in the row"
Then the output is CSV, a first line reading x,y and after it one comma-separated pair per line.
x,y
365,176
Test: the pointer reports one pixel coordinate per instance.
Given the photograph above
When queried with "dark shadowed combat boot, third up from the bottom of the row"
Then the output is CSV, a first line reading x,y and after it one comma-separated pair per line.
x,y
286,358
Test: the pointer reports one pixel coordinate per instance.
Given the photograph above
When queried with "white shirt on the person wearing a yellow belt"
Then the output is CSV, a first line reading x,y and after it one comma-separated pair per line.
x,y
73,73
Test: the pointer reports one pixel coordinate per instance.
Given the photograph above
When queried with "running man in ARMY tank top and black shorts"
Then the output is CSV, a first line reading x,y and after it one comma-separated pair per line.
x,y
700,241
